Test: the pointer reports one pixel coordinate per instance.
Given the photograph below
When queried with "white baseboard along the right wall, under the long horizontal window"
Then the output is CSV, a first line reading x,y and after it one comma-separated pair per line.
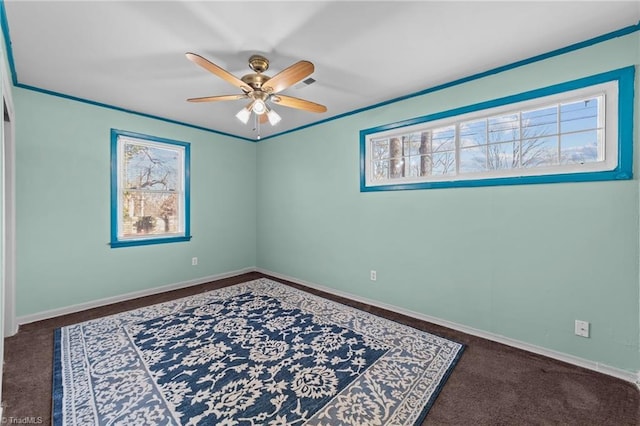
x,y
630,376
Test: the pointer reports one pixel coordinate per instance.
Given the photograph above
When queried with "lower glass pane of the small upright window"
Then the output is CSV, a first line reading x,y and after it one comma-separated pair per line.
x,y
149,213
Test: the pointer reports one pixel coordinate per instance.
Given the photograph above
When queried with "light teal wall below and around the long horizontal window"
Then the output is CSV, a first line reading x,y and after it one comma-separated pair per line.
x,y
521,261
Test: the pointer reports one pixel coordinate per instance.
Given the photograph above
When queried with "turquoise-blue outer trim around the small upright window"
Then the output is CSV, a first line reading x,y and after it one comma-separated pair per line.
x,y
129,242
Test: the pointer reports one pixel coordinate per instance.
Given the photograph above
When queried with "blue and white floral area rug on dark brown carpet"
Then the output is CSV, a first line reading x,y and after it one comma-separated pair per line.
x,y
257,353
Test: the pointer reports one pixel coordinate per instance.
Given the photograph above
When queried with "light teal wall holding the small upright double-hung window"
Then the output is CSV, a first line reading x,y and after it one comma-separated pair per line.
x,y
63,210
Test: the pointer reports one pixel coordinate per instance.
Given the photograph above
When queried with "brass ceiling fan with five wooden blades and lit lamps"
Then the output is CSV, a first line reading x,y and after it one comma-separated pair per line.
x,y
261,89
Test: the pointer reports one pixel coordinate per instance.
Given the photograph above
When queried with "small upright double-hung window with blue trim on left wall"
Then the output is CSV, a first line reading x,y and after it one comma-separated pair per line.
x,y
149,190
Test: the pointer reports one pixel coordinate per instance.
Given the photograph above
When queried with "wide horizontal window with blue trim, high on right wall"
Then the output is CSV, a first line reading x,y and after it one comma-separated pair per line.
x,y
576,131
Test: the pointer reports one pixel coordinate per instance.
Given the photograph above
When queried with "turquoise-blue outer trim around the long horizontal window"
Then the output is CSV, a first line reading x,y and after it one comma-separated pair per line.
x,y
625,77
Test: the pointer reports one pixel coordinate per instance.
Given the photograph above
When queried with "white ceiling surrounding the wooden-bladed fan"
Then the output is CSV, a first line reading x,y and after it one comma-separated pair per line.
x,y
130,54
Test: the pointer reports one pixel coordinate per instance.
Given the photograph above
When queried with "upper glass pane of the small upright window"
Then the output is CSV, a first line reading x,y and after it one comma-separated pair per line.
x,y
149,167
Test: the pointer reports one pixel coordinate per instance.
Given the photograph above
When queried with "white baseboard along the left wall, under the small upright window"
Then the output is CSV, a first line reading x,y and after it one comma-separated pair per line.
x,y
128,296
